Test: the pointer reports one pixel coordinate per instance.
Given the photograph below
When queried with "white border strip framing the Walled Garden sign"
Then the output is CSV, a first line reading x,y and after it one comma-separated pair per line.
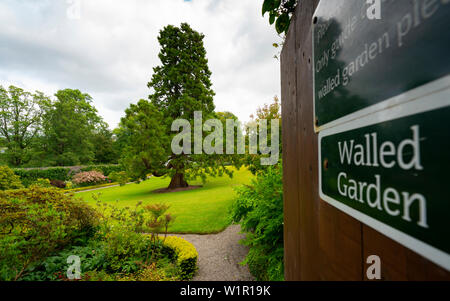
x,y
430,101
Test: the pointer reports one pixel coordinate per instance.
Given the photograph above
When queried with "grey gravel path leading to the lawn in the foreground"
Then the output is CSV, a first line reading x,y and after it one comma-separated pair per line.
x,y
219,256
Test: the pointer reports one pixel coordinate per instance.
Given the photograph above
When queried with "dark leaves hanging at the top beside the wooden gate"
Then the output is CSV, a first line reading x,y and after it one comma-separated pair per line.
x,y
280,13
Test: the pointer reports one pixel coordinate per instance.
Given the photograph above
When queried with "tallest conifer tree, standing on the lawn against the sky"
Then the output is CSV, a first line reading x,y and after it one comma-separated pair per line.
x,y
180,86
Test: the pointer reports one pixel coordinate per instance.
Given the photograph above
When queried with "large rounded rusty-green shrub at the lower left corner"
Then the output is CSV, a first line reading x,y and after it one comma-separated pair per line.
x,y
35,222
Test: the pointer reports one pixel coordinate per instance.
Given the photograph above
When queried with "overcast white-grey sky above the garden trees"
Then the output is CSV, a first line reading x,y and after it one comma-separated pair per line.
x,y
110,50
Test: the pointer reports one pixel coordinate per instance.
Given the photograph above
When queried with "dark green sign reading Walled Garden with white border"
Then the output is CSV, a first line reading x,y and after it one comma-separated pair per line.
x,y
391,170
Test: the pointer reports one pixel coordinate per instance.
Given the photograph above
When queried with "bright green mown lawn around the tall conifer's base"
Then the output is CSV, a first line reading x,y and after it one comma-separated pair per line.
x,y
202,210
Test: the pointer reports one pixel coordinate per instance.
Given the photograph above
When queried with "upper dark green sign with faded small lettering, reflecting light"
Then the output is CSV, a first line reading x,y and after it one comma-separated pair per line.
x,y
362,65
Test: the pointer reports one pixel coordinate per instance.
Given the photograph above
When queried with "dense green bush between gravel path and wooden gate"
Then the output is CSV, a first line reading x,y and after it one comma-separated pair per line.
x,y
259,209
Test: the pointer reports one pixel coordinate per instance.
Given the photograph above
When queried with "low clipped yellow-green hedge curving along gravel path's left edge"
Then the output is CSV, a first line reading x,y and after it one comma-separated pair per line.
x,y
186,255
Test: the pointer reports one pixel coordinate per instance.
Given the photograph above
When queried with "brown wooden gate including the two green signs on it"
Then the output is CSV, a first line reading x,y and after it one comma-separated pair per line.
x,y
366,106
